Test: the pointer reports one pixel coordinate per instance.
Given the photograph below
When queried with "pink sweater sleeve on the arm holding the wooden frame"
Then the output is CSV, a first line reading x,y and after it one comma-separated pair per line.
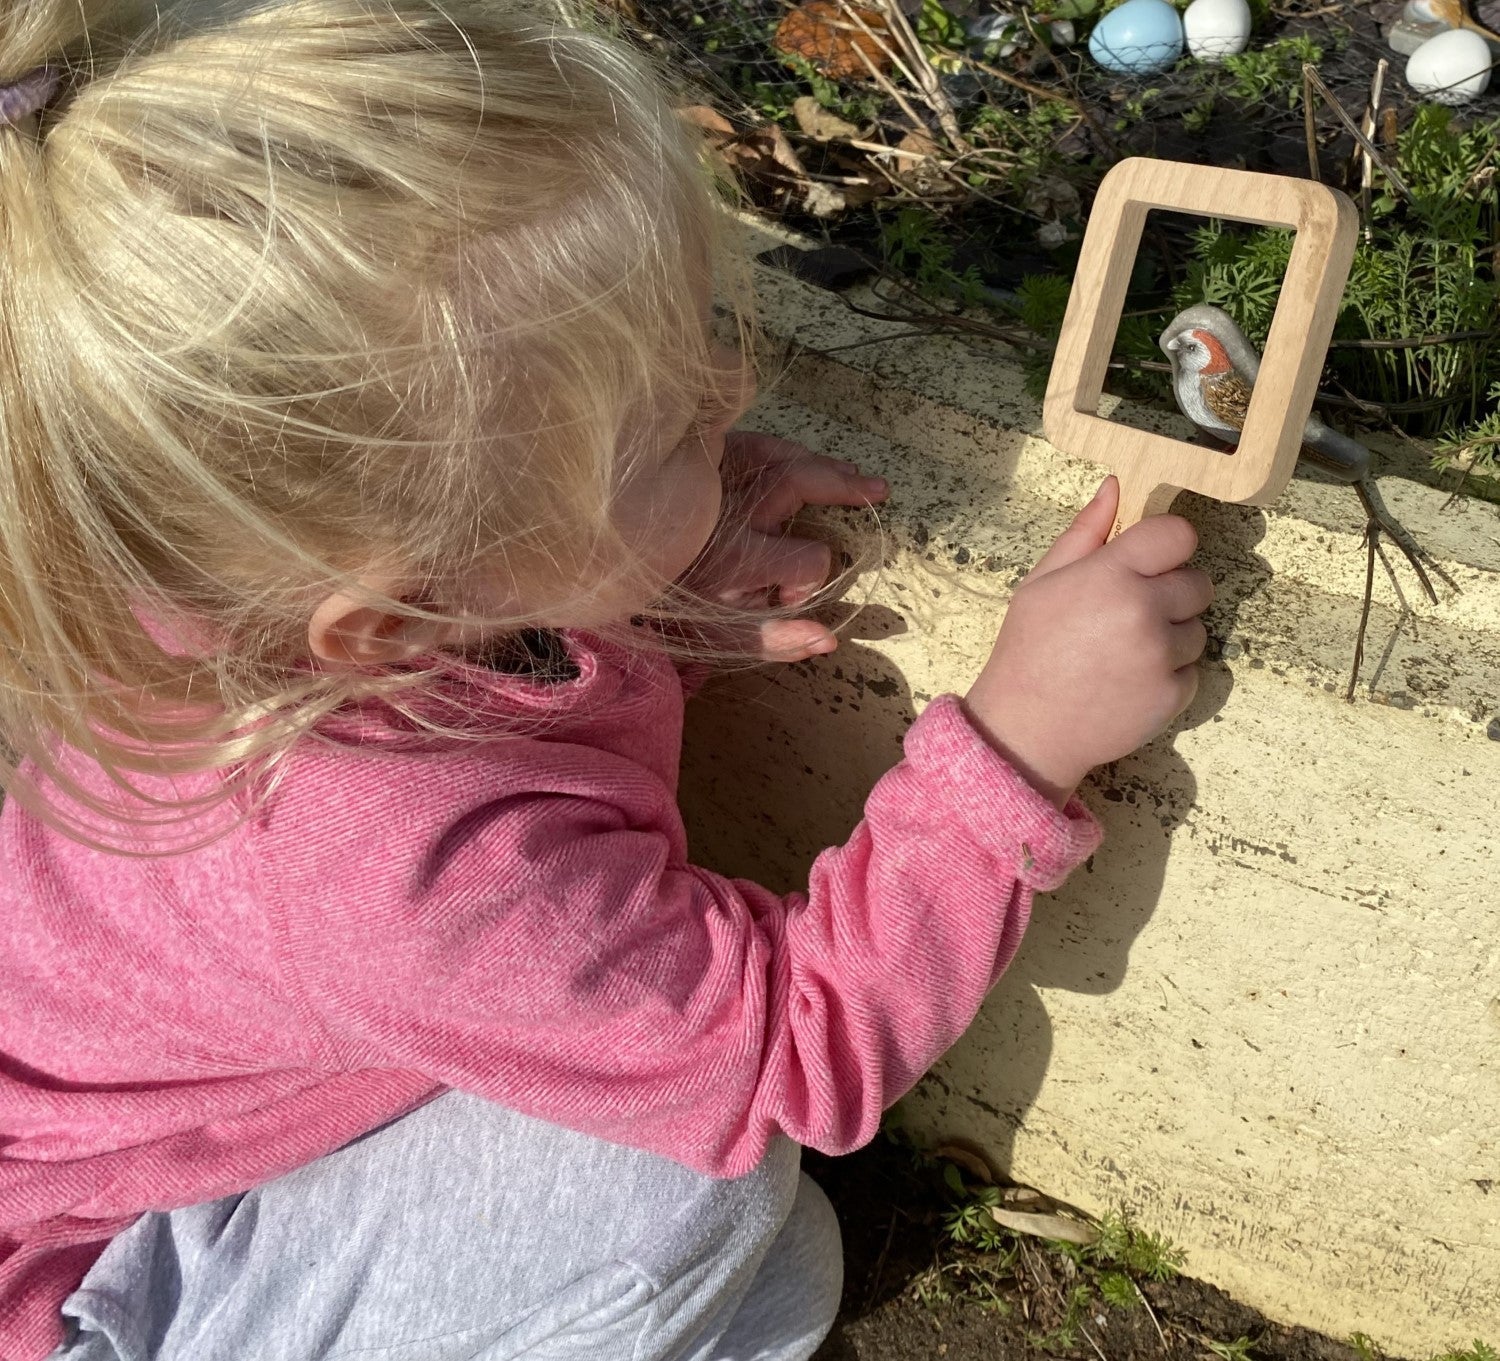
x,y
533,933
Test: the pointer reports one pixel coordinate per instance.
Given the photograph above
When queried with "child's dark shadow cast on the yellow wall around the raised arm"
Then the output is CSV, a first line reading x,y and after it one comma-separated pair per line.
x,y
778,766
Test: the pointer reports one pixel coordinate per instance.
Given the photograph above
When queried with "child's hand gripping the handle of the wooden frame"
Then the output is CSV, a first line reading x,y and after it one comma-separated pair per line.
x,y
1099,647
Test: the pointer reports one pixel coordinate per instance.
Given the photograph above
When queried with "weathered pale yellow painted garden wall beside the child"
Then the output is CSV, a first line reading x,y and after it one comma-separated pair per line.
x,y
1267,1017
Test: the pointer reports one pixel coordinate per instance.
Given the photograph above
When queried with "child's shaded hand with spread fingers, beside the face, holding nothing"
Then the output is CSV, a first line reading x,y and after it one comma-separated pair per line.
x,y
754,559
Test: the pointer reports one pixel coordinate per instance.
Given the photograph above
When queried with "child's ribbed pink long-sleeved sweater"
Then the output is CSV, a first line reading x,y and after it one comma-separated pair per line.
x,y
515,918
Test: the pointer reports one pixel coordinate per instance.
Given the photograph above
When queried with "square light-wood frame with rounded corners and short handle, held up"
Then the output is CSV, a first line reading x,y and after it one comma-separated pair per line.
x,y
1153,469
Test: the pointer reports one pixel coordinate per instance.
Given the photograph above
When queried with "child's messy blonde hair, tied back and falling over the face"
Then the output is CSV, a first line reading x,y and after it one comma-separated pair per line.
x,y
292,287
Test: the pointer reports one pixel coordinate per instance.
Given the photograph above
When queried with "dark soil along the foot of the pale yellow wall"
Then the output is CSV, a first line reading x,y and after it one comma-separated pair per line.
x,y
892,1219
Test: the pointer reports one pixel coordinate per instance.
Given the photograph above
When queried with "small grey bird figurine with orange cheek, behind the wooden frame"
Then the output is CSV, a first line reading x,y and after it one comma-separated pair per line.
x,y
1214,371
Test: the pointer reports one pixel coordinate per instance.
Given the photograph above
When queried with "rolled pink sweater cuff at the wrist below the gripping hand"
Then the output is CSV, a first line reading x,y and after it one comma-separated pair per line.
x,y
997,804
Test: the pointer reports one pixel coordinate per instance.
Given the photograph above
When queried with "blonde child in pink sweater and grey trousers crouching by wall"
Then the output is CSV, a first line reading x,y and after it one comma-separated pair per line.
x,y
364,469
